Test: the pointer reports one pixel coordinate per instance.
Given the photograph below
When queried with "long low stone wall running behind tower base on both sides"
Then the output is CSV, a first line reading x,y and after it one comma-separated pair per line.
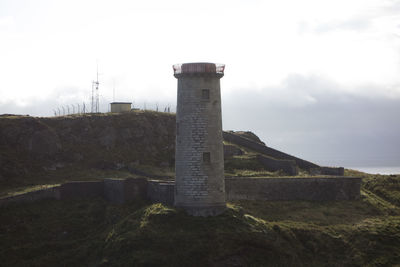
x,y
238,188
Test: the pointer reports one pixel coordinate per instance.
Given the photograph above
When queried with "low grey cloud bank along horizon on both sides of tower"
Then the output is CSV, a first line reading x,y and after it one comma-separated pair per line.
x,y
308,116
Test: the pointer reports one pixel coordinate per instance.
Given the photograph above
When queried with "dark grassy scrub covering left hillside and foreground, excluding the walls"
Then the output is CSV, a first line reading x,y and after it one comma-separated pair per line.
x,y
40,152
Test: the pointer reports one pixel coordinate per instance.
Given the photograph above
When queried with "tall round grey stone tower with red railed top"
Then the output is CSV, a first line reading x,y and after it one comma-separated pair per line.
x,y
199,154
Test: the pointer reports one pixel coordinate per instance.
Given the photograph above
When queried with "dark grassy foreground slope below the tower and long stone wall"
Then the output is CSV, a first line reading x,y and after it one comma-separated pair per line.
x,y
365,232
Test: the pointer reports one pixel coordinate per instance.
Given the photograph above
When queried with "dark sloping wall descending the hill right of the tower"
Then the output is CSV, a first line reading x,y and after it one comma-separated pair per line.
x,y
230,137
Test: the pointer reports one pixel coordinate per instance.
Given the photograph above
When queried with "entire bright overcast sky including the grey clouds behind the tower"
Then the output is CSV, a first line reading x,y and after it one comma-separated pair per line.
x,y
316,79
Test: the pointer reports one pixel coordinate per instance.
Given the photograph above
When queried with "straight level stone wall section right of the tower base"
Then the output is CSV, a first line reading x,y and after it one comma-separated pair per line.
x,y
313,189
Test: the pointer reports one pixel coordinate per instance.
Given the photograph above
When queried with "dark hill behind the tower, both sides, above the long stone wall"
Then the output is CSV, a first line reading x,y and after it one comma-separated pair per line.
x,y
35,150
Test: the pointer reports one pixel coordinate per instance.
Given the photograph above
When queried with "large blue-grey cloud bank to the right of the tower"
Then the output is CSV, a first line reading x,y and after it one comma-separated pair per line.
x,y
336,128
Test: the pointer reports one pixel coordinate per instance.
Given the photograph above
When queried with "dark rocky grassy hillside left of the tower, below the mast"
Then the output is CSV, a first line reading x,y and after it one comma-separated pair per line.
x,y
36,151
